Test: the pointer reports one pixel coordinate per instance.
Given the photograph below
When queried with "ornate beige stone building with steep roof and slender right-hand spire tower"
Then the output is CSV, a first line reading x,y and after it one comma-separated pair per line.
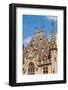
x,y
40,56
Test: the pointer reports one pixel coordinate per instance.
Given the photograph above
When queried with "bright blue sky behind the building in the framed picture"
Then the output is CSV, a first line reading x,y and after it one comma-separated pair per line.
x,y
30,22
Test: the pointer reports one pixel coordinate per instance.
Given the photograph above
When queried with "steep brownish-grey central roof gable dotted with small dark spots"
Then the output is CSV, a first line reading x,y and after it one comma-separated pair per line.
x,y
39,43
